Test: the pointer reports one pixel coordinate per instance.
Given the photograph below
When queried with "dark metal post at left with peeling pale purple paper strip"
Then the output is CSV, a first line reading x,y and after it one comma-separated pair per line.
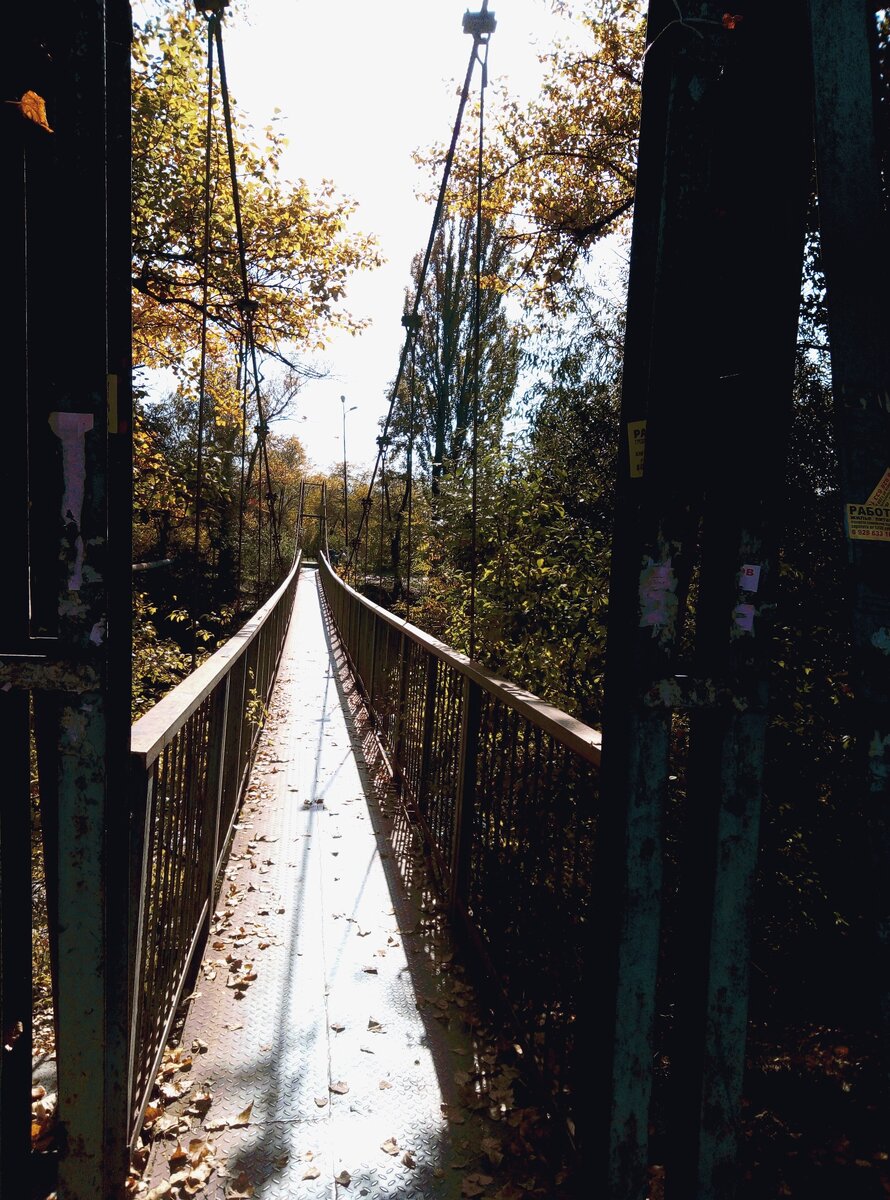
x,y
70,641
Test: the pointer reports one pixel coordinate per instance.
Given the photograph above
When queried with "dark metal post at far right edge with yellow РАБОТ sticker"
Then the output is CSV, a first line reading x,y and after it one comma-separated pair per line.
x,y
856,255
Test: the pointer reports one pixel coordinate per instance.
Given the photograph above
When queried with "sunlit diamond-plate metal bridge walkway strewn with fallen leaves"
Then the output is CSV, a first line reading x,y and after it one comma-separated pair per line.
x,y
332,1047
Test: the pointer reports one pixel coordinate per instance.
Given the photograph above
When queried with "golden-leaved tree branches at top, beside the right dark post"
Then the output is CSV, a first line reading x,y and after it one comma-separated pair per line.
x,y
561,170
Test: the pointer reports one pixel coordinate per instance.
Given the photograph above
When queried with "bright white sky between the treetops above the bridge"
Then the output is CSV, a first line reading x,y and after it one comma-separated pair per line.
x,y
360,87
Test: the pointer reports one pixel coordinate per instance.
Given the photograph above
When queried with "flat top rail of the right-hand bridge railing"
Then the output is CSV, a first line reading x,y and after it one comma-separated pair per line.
x,y
572,733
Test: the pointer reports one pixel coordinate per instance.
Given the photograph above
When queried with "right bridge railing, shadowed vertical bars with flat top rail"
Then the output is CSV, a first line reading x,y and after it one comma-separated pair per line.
x,y
504,788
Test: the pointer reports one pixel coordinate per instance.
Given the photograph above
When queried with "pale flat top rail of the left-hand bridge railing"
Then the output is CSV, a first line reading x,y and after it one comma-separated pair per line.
x,y
161,724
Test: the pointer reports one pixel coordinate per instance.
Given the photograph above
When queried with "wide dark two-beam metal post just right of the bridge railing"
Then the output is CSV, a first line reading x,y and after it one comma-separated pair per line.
x,y
705,253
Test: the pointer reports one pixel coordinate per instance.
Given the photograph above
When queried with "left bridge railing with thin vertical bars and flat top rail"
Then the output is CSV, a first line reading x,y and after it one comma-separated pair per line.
x,y
191,758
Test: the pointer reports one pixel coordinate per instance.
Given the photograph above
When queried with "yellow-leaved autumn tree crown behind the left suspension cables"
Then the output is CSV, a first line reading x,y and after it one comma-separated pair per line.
x,y
299,251
